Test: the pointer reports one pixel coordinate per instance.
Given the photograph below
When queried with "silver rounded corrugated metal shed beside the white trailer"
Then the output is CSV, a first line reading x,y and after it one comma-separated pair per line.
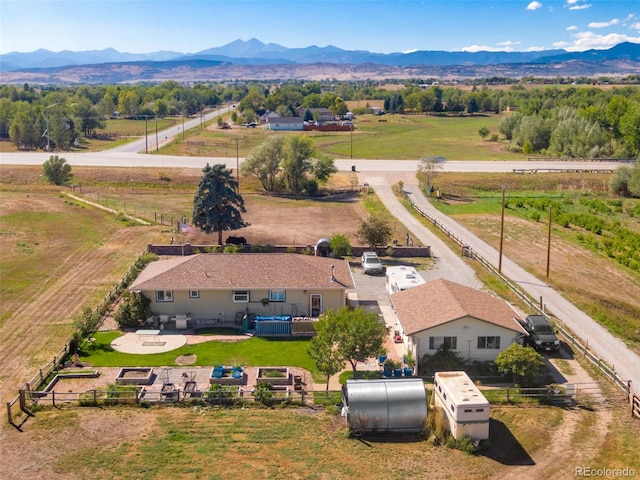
x,y
385,405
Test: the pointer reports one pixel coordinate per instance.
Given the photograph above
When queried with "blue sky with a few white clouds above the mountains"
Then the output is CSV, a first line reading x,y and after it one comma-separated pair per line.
x,y
189,26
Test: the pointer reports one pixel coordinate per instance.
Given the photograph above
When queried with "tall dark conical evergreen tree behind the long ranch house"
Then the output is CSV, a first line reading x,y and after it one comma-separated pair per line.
x,y
218,206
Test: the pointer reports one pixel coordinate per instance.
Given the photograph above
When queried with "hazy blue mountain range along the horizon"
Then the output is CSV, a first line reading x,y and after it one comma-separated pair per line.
x,y
257,60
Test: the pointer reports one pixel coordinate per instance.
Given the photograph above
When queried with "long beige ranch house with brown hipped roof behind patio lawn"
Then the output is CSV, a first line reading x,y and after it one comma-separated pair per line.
x,y
208,287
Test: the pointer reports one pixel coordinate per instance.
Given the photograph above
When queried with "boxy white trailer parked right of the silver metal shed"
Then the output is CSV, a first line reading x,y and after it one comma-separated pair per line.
x,y
466,409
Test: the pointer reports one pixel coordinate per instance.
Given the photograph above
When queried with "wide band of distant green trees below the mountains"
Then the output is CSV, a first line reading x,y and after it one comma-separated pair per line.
x,y
560,117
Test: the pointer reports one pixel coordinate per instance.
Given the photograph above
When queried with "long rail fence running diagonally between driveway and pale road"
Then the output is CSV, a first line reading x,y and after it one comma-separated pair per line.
x,y
467,251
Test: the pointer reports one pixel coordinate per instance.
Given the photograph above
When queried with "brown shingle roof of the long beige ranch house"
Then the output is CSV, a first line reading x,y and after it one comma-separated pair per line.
x,y
225,271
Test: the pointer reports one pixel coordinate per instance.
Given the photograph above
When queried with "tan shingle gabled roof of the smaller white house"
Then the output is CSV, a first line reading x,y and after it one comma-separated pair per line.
x,y
442,301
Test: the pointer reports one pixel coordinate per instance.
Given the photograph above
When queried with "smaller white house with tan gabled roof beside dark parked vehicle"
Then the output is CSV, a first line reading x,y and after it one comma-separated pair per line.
x,y
444,314
